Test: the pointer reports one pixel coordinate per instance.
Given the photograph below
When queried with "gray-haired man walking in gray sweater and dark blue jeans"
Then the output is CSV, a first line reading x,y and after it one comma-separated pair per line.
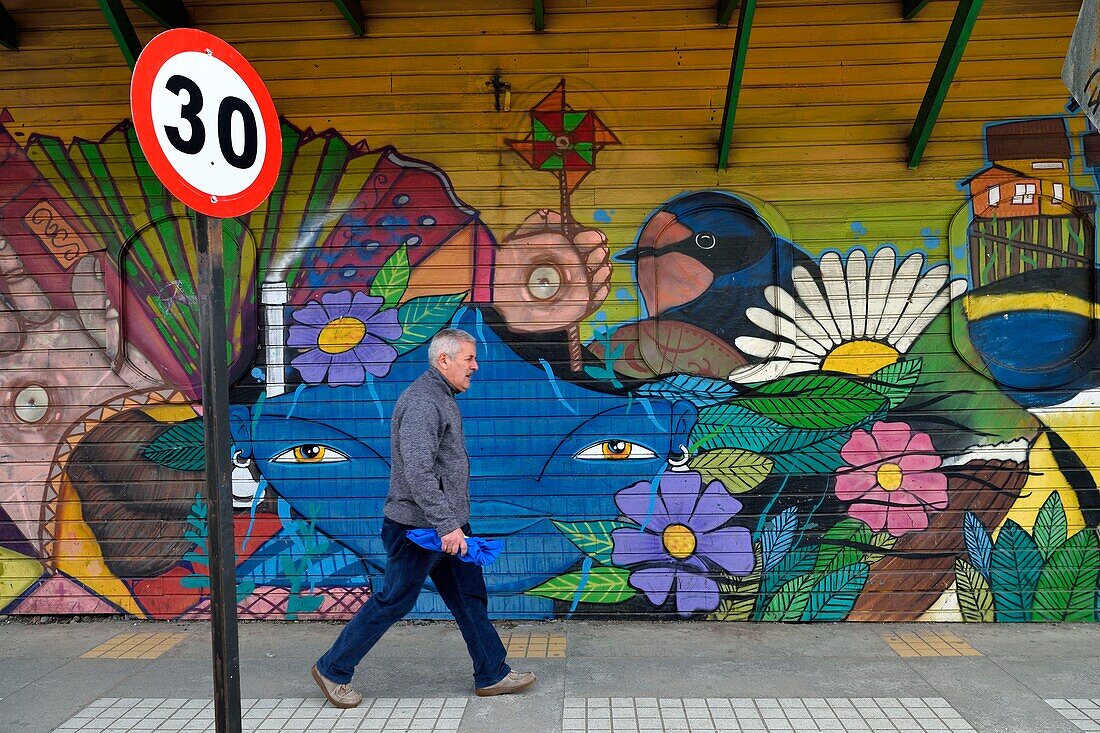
x,y
430,488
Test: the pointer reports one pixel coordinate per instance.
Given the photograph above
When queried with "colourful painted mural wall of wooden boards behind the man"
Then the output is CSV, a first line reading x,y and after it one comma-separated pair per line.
x,y
816,387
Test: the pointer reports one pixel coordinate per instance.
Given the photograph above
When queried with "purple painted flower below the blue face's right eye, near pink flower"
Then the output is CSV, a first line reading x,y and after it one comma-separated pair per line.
x,y
683,538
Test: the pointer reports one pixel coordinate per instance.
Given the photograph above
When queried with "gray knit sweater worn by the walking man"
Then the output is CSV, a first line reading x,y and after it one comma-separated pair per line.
x,y
430,479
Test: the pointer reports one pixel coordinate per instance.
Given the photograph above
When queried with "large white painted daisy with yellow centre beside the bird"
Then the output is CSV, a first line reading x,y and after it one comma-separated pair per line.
x,y
855,319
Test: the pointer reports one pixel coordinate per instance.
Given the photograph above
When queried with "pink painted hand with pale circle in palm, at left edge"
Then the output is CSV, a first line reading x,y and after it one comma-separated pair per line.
x,y
57,366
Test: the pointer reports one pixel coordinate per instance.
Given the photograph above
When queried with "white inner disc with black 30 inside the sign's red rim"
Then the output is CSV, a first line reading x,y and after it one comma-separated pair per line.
x,y
208,124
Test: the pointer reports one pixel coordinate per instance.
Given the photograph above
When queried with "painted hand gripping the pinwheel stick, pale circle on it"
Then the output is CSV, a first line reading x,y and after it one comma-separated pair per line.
x,y
547,278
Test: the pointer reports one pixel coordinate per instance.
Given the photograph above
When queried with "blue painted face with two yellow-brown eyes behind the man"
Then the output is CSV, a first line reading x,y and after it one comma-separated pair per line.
x,y
541,448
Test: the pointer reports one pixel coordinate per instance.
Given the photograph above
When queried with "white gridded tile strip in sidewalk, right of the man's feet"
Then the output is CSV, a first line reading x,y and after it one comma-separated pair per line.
x,y
761,715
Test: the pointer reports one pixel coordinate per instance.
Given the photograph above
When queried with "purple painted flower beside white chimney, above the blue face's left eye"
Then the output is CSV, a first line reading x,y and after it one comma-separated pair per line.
x,y
345,336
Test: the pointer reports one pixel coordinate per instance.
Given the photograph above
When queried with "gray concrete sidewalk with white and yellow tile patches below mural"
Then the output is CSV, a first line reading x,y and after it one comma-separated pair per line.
x,y
142,677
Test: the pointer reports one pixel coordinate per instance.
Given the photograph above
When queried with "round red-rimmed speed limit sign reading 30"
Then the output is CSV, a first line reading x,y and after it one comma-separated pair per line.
x,y
206,123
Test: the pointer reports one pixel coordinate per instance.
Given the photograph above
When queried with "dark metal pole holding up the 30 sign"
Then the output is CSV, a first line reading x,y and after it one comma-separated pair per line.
x,y
227,657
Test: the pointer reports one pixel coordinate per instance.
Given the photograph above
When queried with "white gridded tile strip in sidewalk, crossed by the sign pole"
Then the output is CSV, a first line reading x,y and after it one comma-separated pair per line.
x,y
288,716
